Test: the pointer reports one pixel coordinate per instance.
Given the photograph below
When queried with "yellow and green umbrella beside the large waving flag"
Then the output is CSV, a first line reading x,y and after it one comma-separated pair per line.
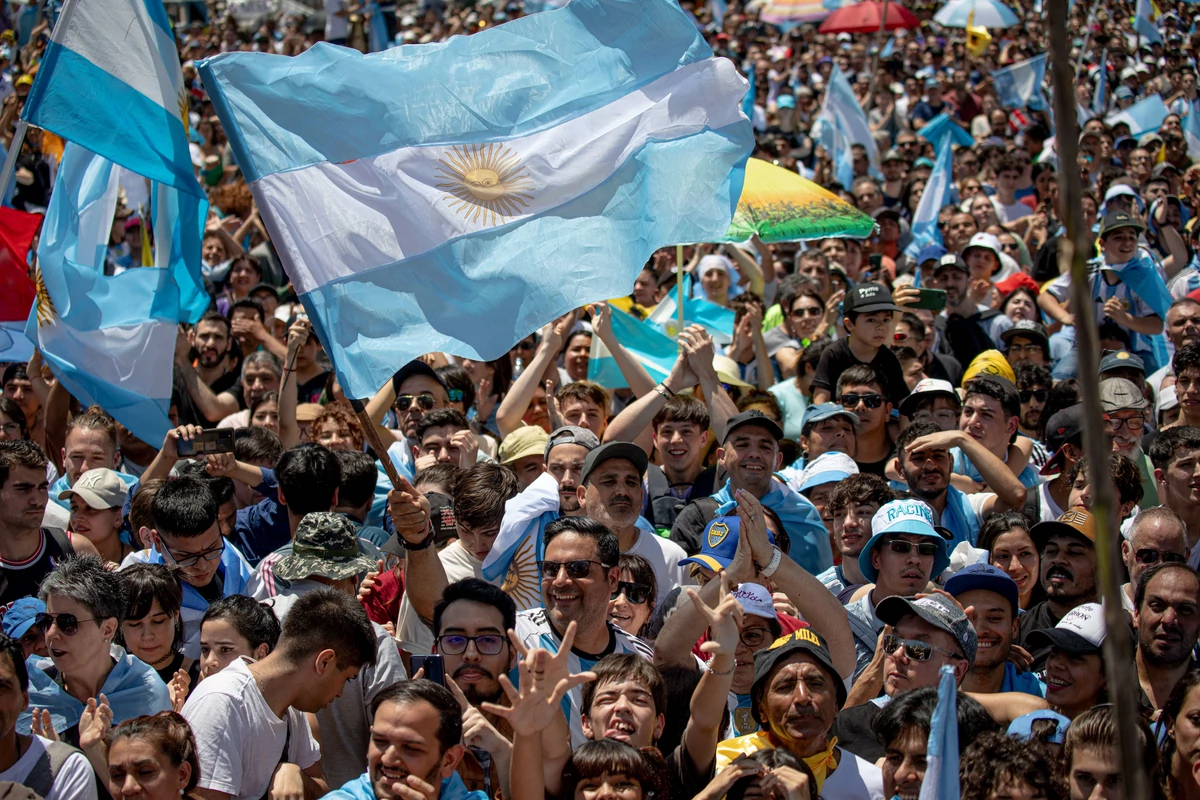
x,y
779,206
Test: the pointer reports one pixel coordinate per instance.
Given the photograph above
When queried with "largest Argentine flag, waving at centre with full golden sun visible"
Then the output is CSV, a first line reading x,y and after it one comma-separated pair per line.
x,y
458,196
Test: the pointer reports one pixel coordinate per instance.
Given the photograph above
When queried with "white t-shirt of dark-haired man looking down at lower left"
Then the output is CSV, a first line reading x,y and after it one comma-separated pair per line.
x,y
239,741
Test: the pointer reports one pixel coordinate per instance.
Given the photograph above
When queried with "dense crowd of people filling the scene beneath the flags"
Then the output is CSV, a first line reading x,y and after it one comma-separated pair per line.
x,y
743,580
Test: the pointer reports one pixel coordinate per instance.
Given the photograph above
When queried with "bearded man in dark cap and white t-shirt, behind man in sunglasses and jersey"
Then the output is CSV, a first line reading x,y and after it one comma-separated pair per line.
x,y
611,494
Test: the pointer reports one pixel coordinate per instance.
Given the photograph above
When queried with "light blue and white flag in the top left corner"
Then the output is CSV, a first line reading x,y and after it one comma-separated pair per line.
x,y
134,110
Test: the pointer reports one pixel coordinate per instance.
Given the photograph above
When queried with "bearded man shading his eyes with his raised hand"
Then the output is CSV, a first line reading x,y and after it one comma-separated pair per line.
x,y
925,459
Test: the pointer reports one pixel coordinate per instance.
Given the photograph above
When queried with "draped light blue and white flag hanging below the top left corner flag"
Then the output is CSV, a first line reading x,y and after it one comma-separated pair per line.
x,y
112,340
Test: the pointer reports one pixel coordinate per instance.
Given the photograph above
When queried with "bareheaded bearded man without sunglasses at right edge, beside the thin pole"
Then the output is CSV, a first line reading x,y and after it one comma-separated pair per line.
x,y
1168,621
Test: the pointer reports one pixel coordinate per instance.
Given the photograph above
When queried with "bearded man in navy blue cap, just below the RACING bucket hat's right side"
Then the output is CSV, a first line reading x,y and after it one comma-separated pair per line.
x,y
993,601
